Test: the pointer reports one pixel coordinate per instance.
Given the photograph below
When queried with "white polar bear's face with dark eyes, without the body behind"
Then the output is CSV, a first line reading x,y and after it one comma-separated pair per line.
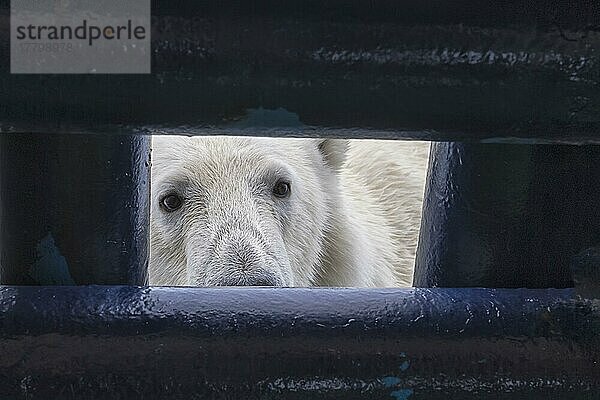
x,y
240,211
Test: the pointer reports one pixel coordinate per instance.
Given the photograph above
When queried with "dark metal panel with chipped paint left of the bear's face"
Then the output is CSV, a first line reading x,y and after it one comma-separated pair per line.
x,y
74,209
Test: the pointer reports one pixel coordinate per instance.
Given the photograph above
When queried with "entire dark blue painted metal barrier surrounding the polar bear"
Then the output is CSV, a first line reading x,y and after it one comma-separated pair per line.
x,y
465,70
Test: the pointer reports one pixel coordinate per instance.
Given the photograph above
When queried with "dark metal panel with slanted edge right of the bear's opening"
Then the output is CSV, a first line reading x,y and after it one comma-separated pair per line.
x,y
508,215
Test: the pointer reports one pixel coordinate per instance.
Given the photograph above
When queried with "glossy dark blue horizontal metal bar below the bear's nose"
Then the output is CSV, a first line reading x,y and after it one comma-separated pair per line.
x,y
128,342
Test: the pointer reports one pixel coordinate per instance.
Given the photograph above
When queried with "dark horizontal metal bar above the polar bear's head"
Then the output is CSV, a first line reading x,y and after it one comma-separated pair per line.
x,y
437,70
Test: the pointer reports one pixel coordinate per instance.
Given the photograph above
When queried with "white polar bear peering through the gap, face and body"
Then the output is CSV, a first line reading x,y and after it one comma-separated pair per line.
x,y
239,211
